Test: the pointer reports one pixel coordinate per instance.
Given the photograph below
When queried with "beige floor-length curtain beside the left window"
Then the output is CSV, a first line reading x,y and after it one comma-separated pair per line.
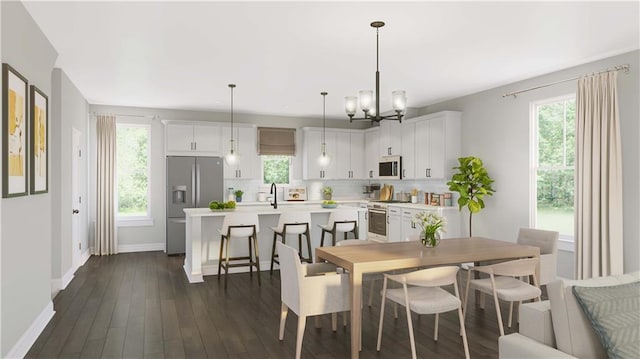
x,y
106,240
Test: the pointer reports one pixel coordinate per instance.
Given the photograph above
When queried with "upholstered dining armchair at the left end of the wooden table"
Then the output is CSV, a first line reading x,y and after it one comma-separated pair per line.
x,y
308,290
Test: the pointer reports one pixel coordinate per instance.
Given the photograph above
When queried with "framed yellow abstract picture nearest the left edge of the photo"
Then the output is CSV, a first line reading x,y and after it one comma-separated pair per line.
x,y
14,132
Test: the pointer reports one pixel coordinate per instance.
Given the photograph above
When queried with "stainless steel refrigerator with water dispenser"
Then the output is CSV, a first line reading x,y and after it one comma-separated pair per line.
x,y
192,182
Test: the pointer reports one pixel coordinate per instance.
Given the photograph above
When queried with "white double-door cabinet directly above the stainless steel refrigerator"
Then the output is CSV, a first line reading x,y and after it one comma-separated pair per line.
x,y
193,139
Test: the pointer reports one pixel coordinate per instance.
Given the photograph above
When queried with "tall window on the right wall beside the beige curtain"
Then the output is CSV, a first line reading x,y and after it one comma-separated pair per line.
x,y
553,165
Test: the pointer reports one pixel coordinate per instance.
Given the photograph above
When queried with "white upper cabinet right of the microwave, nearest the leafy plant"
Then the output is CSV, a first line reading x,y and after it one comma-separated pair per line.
x,y
437,145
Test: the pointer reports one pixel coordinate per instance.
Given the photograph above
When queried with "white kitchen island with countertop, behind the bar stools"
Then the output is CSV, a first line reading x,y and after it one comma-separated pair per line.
x,y
203,238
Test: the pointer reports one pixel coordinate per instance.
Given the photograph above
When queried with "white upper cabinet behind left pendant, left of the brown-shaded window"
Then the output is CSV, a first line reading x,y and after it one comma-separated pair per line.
x,y
248,166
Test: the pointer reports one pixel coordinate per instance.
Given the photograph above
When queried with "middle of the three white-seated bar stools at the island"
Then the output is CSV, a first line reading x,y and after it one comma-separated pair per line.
x,y
292,223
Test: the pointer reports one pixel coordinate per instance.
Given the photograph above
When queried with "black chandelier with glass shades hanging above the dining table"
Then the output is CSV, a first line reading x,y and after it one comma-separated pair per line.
x,y
366,99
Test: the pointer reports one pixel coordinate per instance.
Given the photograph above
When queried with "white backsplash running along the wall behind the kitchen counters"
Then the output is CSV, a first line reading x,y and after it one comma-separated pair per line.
x,y
342,189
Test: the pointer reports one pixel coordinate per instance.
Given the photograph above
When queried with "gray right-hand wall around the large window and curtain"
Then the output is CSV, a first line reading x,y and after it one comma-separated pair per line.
x,y
496,129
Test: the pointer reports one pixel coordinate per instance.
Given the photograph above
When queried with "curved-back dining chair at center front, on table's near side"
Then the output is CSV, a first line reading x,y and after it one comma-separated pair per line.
x,y
421,293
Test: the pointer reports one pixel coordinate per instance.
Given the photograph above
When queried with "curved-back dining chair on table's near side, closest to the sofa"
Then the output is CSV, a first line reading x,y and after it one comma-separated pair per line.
x,y
503,283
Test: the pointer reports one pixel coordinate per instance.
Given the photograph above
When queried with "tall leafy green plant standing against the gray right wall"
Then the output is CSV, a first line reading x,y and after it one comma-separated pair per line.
x,y
472,182
